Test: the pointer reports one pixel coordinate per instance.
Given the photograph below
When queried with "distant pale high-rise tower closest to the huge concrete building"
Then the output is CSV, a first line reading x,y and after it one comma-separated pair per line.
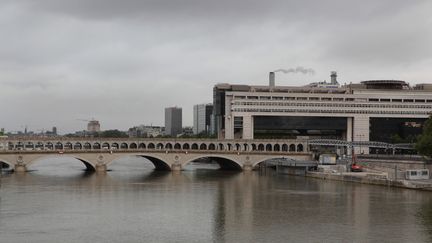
x,y
202,118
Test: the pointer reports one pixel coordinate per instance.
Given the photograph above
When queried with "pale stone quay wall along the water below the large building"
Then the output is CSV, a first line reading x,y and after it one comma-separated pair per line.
x,y
372,178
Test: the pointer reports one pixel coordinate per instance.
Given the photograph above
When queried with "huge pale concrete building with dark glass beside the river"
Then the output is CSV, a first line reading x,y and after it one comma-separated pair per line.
x,y
374,110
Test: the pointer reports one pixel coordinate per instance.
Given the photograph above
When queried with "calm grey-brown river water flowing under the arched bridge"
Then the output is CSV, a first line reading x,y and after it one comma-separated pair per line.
x,y
58,202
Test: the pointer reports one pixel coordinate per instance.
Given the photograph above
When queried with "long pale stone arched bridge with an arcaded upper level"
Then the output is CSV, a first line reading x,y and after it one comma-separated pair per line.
x,y
165,154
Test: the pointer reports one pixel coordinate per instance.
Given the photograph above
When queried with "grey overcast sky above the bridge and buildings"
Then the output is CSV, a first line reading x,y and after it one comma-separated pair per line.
x,y
122,61
